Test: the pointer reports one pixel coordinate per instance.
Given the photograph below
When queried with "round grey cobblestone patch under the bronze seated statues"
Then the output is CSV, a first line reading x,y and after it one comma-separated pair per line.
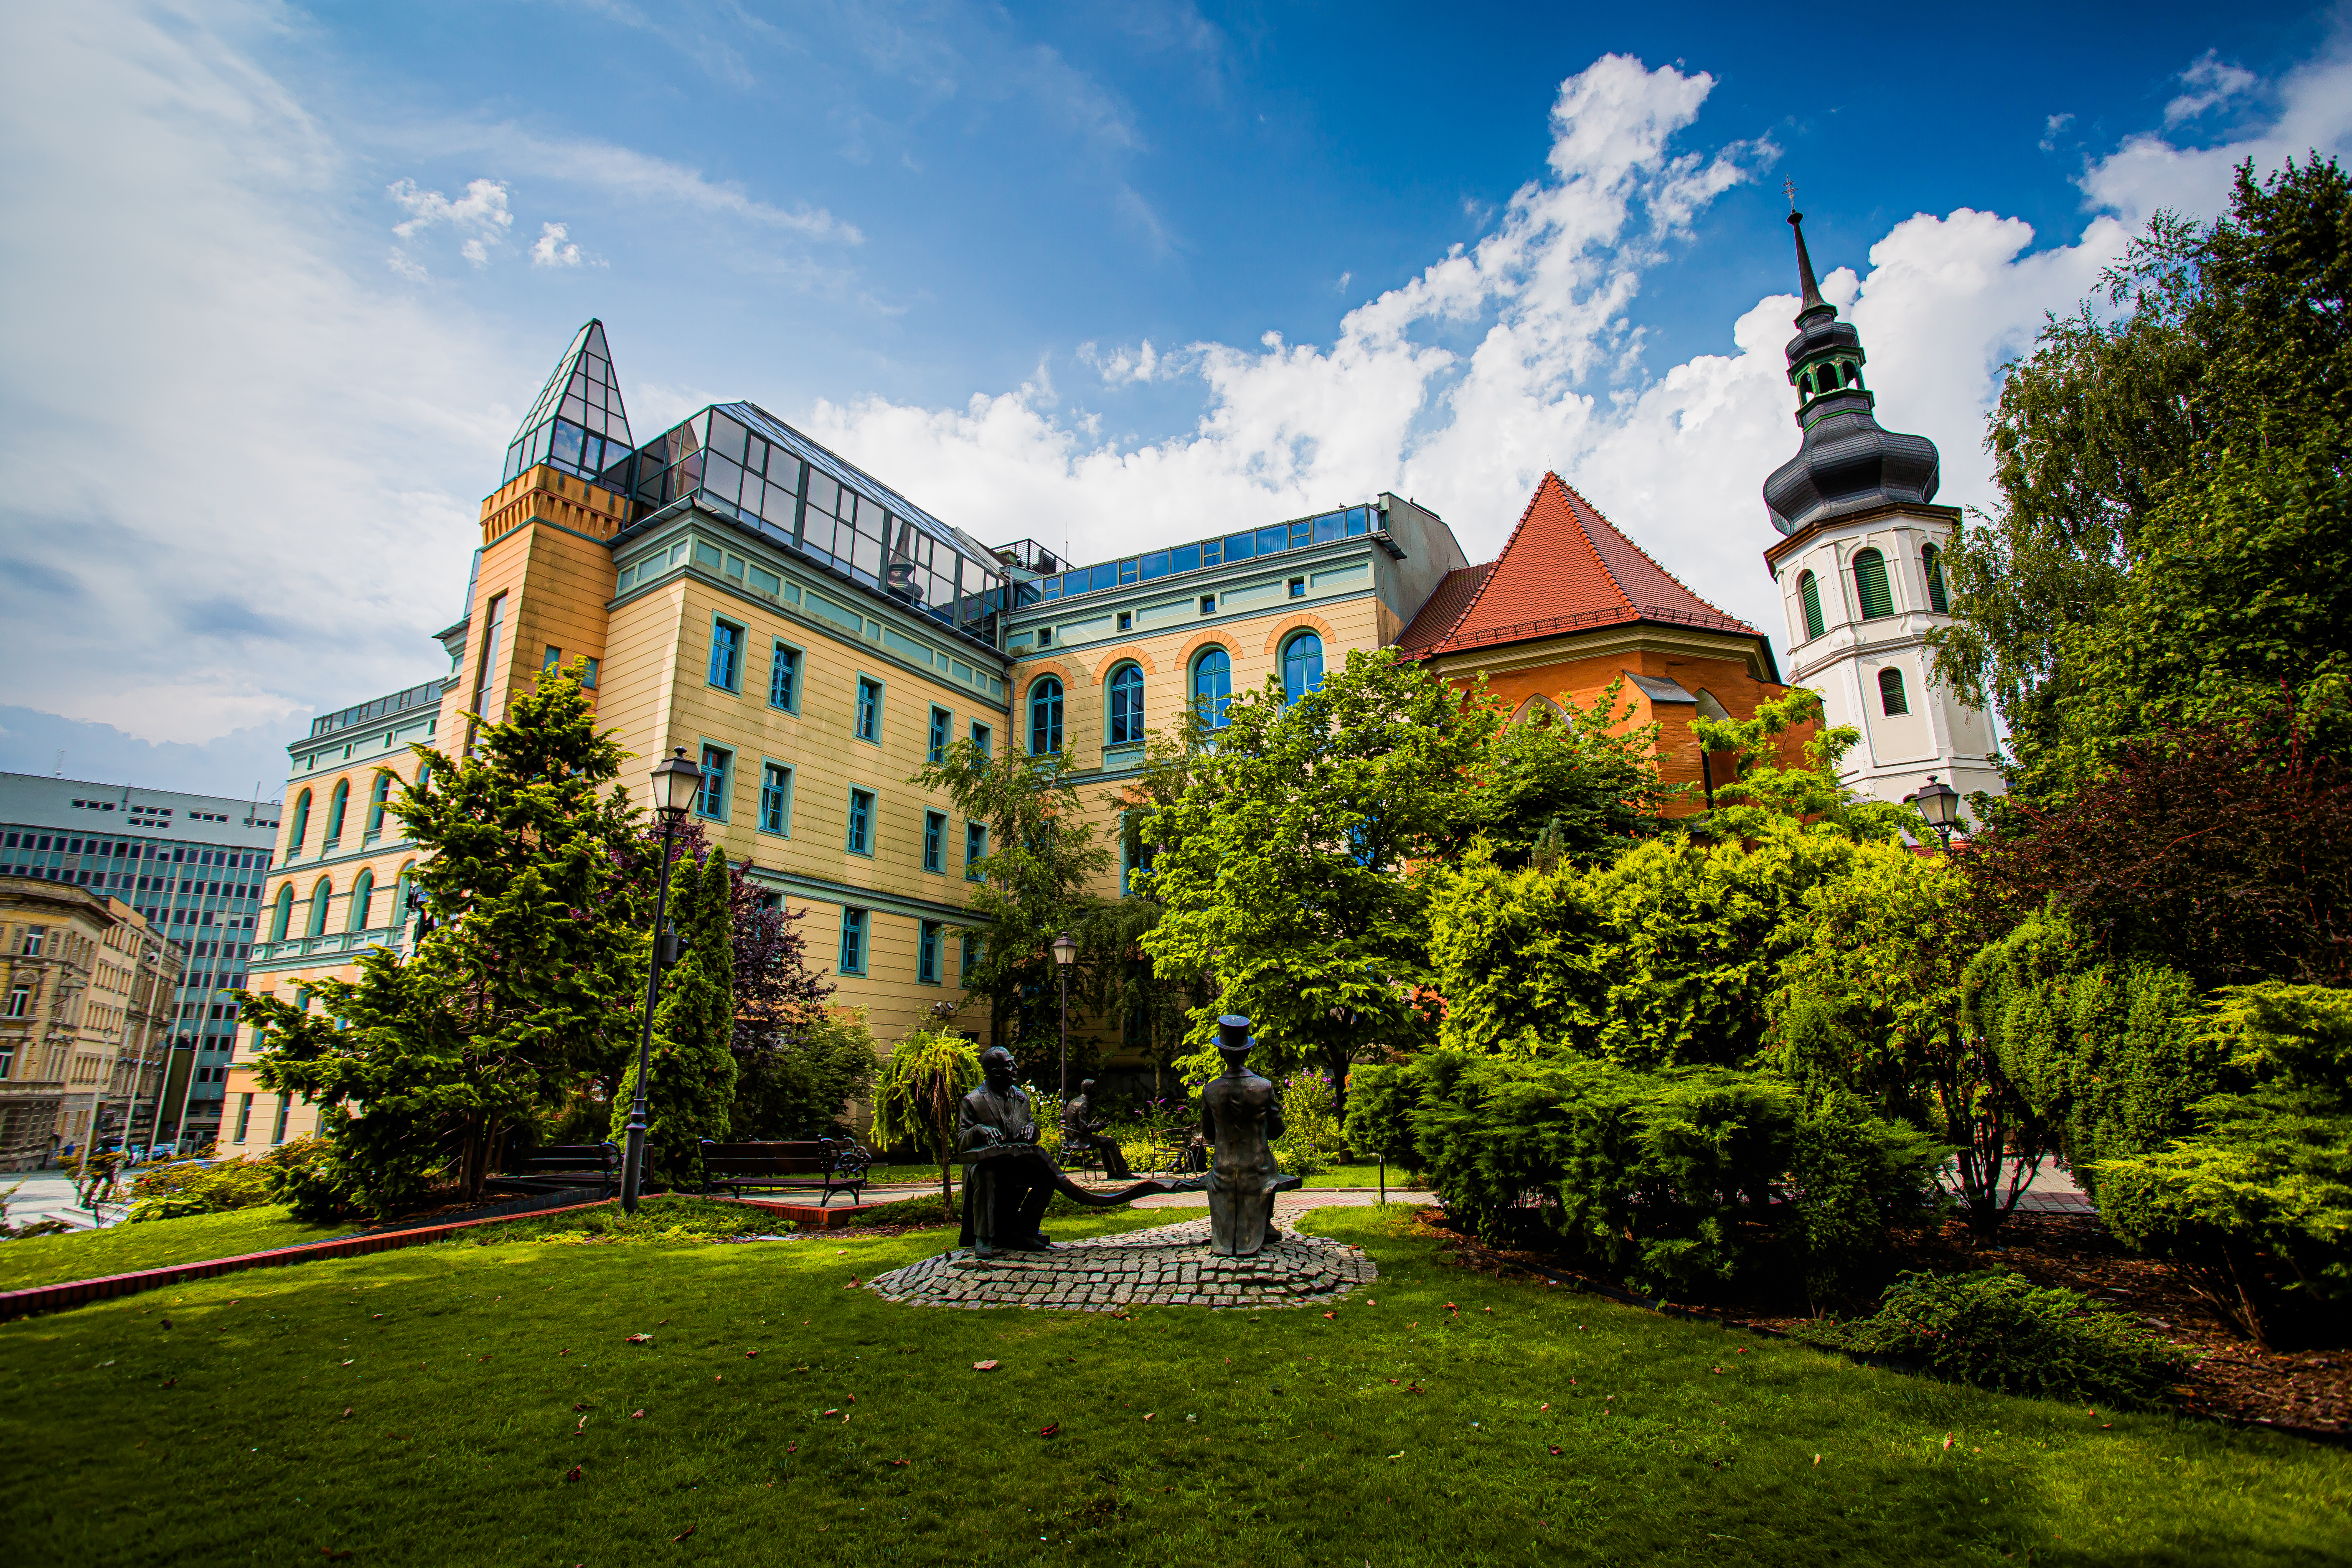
x,y
1149,1268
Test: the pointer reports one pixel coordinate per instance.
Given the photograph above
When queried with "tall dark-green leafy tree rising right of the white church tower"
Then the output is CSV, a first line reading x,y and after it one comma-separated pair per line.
x,y
2165,469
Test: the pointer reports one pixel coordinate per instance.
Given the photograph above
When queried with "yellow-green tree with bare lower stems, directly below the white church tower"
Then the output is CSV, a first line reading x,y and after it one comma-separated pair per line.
x,y
1871,1003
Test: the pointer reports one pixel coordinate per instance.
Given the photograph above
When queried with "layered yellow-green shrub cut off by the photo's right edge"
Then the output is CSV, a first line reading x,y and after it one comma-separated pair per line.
x,y
2257,1205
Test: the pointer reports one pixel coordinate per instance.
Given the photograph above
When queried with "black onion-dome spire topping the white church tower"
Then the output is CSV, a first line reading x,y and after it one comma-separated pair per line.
x,y
1847,464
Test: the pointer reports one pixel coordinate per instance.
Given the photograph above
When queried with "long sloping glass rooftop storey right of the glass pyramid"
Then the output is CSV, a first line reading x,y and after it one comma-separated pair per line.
x,y
740,462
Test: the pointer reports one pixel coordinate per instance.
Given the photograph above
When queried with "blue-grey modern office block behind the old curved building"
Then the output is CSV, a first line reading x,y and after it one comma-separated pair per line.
x,y
192,869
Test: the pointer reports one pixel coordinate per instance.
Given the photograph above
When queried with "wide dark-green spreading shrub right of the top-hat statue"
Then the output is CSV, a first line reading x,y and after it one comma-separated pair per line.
x,y
1645,1174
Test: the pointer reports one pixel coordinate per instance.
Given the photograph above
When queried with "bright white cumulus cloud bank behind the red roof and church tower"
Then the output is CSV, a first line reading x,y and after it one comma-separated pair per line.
x,y
1542,319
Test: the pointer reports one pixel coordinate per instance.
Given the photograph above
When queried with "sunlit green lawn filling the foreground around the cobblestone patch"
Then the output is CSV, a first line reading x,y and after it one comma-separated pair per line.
x,y
427,1407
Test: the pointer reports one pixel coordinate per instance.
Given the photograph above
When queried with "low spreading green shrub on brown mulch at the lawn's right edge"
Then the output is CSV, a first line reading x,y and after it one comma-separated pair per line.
x,y
2005,1334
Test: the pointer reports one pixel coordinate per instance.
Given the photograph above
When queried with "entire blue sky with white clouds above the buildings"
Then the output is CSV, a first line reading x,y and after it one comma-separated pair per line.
x,y
281,281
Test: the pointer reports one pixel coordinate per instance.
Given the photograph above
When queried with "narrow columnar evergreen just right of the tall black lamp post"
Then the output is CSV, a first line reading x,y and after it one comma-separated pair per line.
x,y
693,1078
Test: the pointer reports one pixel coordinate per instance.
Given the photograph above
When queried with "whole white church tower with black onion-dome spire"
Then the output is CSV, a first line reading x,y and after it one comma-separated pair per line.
x,y
1862,570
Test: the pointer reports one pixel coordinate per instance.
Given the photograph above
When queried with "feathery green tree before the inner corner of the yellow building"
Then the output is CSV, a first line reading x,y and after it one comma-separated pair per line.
x,y
1036,876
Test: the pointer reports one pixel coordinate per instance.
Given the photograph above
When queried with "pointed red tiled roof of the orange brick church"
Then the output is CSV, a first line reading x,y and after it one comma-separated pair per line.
x,y
1565,568
